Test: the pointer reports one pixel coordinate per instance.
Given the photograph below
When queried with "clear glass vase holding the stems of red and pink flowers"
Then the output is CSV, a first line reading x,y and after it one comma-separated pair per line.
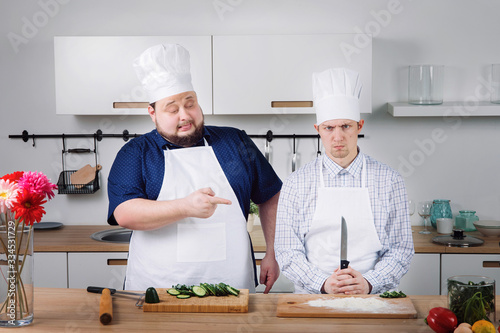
x,y
16,280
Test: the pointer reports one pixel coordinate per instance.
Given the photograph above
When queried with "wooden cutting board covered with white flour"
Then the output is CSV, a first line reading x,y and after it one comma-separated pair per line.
x,y
297,305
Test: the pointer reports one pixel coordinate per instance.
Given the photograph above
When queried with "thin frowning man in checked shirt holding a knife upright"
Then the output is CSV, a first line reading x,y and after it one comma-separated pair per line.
x,y
344,182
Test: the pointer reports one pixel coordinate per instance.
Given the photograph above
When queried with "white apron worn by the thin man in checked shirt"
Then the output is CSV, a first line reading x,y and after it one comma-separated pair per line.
x,y
322,242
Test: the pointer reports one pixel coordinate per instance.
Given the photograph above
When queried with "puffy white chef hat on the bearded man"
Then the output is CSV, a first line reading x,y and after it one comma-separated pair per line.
x,y
164,71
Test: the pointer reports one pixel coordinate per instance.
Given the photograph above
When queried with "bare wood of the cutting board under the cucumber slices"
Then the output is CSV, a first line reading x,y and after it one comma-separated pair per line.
x,y
169,303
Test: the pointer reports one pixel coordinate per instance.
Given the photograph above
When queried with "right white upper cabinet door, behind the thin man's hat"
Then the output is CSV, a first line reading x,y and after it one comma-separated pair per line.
x,y
253,73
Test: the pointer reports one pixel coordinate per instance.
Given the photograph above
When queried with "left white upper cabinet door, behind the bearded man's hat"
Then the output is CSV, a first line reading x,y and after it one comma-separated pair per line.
x,y
94,75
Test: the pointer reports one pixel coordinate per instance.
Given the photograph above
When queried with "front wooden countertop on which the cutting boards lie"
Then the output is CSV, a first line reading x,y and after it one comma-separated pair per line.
x,y
75,310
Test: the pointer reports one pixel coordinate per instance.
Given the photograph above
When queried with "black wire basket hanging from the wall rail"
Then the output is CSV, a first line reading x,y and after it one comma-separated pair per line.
x,y
65,184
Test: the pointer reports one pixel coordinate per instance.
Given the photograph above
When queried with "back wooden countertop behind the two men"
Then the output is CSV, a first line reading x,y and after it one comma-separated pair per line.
x,y
76,238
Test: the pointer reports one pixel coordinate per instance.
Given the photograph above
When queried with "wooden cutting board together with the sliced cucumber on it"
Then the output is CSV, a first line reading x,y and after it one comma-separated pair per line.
x,y
202,298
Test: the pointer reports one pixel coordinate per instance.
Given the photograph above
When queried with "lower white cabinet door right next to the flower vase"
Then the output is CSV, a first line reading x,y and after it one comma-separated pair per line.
x,y
51,269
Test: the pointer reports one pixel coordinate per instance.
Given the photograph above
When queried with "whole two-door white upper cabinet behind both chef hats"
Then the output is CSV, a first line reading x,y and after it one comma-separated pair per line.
x,y
259,74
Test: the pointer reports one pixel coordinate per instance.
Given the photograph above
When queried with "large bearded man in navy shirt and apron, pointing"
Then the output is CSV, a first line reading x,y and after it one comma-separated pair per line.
x,y
185,189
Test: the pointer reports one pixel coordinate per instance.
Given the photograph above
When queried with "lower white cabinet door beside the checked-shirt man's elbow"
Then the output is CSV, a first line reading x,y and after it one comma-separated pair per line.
x,y
423,276
